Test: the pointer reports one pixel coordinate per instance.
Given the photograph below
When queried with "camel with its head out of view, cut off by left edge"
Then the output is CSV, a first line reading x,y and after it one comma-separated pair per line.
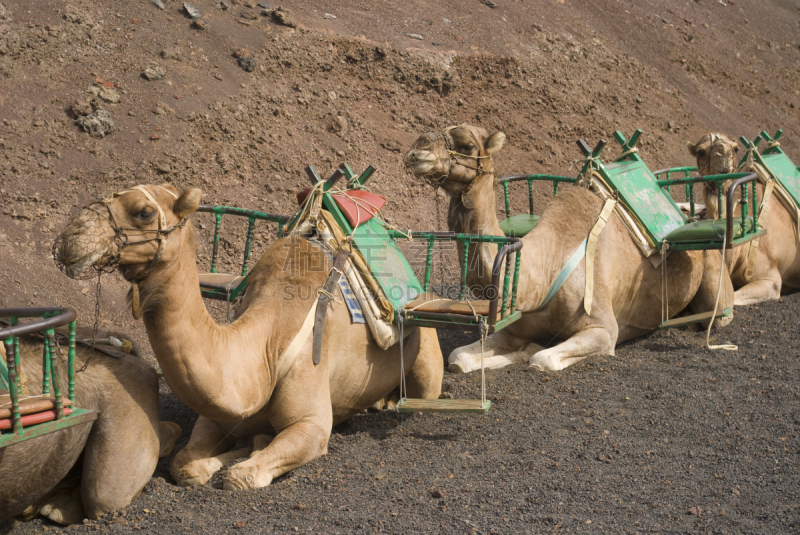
x,y
120,449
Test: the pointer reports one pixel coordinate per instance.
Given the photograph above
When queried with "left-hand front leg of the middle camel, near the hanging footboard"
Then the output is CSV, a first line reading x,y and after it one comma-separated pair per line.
x,y
500,349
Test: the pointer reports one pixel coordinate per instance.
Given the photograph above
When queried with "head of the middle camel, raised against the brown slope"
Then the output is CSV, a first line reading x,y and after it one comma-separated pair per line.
x,y
455,157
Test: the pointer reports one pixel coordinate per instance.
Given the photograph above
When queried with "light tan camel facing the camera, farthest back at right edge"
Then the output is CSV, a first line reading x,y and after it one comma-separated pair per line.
x,y
777,264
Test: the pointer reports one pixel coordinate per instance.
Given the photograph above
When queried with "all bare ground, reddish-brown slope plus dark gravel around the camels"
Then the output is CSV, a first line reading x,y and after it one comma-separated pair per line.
x,y
666,436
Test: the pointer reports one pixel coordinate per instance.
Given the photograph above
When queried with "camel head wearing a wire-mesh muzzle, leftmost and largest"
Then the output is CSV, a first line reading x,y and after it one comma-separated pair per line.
x,y
132,230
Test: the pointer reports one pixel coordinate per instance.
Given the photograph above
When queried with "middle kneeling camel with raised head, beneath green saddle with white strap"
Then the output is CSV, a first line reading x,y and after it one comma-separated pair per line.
x,y
627,292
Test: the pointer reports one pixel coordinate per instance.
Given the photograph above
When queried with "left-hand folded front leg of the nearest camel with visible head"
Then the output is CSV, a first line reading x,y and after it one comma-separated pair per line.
x,y
209,449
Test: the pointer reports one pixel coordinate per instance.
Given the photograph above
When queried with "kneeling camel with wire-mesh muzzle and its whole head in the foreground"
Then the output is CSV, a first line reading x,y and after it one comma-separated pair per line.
x,y
252,382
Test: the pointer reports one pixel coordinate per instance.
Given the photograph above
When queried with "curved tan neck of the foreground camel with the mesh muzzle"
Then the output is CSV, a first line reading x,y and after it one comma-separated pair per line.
x,y
204,363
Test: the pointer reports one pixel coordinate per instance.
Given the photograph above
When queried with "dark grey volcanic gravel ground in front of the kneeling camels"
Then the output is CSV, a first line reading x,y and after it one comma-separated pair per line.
x,y
667,436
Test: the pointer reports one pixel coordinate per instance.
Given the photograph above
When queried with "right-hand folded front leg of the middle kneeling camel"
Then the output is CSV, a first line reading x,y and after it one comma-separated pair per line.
x,y
586,343
